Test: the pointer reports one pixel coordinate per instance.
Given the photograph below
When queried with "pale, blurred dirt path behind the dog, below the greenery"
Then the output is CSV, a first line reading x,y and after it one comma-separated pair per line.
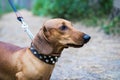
x,y
97,60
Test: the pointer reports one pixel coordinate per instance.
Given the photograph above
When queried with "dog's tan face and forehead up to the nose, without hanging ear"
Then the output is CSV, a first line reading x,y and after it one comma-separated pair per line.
x,y
62,32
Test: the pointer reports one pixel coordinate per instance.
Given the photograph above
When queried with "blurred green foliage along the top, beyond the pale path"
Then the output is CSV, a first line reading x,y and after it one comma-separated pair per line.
x,y
103,13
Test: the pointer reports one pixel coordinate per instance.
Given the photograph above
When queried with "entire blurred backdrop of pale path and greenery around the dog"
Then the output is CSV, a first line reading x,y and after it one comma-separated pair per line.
x,y
99,59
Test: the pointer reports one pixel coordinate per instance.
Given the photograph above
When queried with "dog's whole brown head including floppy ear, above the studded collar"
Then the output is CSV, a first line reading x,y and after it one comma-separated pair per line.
x,y
57,34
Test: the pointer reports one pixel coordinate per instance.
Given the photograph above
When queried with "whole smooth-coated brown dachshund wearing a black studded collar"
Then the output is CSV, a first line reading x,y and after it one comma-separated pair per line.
x,y
37,62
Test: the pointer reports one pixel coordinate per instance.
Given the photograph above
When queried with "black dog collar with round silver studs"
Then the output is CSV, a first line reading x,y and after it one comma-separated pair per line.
x,y
45,58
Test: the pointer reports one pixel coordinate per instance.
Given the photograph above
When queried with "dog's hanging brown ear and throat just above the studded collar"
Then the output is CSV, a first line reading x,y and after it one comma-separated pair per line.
x,y
43,46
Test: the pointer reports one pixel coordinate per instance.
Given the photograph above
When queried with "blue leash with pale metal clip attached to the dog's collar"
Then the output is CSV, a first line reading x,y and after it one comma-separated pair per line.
x,y
20,18
